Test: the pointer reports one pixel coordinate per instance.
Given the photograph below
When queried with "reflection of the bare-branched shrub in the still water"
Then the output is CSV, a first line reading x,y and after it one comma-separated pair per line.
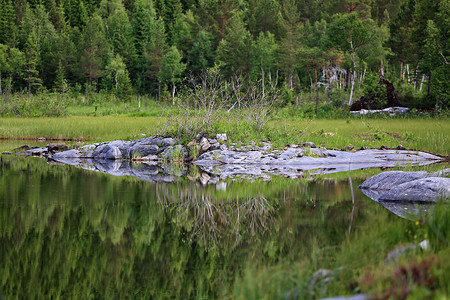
x,y
211,221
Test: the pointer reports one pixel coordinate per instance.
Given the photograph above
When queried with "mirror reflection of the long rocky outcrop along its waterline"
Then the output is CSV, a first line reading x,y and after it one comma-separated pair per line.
x,y
156,171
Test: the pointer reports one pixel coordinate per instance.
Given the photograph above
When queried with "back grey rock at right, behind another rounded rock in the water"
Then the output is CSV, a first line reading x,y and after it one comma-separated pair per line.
x,y
388,180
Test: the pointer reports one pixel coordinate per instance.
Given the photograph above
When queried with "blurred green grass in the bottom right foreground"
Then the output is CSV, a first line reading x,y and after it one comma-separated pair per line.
x,y
359,265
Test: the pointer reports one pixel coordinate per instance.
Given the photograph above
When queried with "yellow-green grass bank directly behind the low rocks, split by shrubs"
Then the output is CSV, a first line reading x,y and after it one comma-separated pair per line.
x,y
424,134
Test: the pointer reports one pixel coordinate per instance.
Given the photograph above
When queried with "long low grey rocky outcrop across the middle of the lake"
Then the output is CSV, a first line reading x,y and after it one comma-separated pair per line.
x,y
220,159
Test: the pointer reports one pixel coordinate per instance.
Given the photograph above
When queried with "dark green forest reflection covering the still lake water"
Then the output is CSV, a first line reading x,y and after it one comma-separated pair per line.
x,y
70,233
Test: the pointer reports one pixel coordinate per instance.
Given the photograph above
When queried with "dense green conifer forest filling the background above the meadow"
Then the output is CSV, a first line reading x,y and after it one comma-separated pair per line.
x,y
129,47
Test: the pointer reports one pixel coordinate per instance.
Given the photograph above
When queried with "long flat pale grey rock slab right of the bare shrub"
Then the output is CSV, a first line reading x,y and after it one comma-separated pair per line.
x,y
292,162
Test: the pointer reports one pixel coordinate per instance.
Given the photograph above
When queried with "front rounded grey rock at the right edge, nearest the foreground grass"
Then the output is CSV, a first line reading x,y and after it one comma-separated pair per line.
x,y
421,190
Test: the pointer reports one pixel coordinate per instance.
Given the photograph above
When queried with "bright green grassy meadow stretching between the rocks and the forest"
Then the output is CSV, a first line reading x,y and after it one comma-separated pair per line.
x,y
119,120
